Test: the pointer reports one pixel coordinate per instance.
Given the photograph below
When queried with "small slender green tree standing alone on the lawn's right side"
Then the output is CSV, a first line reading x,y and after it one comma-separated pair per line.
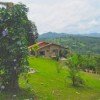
x,y
73,64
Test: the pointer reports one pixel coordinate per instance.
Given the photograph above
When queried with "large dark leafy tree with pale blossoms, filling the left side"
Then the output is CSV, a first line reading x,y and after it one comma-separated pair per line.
x,y
13,45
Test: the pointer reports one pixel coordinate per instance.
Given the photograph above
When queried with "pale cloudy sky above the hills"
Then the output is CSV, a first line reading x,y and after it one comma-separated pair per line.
x,y
64,16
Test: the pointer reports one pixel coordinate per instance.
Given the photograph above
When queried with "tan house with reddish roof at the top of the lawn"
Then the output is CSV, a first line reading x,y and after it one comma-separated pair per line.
x,y
50,50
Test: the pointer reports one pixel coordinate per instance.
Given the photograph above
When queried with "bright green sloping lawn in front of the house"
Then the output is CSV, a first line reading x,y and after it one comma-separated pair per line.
x,y
48,84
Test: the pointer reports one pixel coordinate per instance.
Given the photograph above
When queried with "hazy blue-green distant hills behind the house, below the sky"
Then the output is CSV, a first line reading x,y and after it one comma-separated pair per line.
x,y
77,43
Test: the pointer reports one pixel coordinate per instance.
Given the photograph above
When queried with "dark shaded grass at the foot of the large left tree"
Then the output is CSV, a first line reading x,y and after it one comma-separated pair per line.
x,y
22,94
